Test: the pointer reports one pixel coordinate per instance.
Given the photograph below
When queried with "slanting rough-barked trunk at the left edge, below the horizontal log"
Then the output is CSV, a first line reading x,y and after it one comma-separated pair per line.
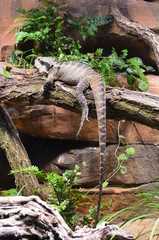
x,y
16,154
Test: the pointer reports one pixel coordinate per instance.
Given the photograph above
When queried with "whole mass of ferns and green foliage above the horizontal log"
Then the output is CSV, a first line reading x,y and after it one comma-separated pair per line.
x,y
43,33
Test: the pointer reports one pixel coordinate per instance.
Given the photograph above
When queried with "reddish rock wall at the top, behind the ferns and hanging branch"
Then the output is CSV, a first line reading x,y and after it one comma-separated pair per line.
x,y
107,37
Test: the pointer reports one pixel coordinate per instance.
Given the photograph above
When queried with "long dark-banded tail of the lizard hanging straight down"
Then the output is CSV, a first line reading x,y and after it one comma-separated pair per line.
x,y
98,89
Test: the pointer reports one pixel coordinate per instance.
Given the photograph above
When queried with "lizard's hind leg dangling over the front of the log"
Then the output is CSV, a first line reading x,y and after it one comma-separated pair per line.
x,y
81,87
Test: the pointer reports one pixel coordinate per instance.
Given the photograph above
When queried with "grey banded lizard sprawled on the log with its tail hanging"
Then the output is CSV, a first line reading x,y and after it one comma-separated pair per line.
x,y
82,76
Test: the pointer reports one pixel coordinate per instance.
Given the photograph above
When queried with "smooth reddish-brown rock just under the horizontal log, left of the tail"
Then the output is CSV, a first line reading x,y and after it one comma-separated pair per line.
x,y
52,122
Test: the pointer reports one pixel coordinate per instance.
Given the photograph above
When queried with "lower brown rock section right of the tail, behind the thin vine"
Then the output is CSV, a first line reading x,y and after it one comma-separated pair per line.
x,y
141,168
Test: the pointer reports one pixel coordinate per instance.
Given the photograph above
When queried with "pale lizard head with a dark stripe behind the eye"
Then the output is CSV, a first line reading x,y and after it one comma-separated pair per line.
x,y
44,64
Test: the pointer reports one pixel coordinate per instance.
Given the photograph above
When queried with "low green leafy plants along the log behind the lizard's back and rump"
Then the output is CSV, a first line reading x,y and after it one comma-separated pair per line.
x,y
114,63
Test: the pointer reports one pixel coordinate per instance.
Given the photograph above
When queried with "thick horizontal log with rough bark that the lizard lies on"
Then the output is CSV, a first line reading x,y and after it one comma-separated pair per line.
x,y
121,103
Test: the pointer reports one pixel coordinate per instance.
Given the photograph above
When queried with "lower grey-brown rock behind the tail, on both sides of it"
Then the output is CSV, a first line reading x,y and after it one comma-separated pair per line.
x,y
142,168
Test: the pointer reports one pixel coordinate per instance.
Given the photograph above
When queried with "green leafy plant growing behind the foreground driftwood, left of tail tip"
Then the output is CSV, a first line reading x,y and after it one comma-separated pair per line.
x,y
65,195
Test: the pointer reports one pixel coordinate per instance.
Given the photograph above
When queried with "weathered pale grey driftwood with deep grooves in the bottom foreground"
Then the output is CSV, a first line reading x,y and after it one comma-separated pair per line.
x,y
31,218
